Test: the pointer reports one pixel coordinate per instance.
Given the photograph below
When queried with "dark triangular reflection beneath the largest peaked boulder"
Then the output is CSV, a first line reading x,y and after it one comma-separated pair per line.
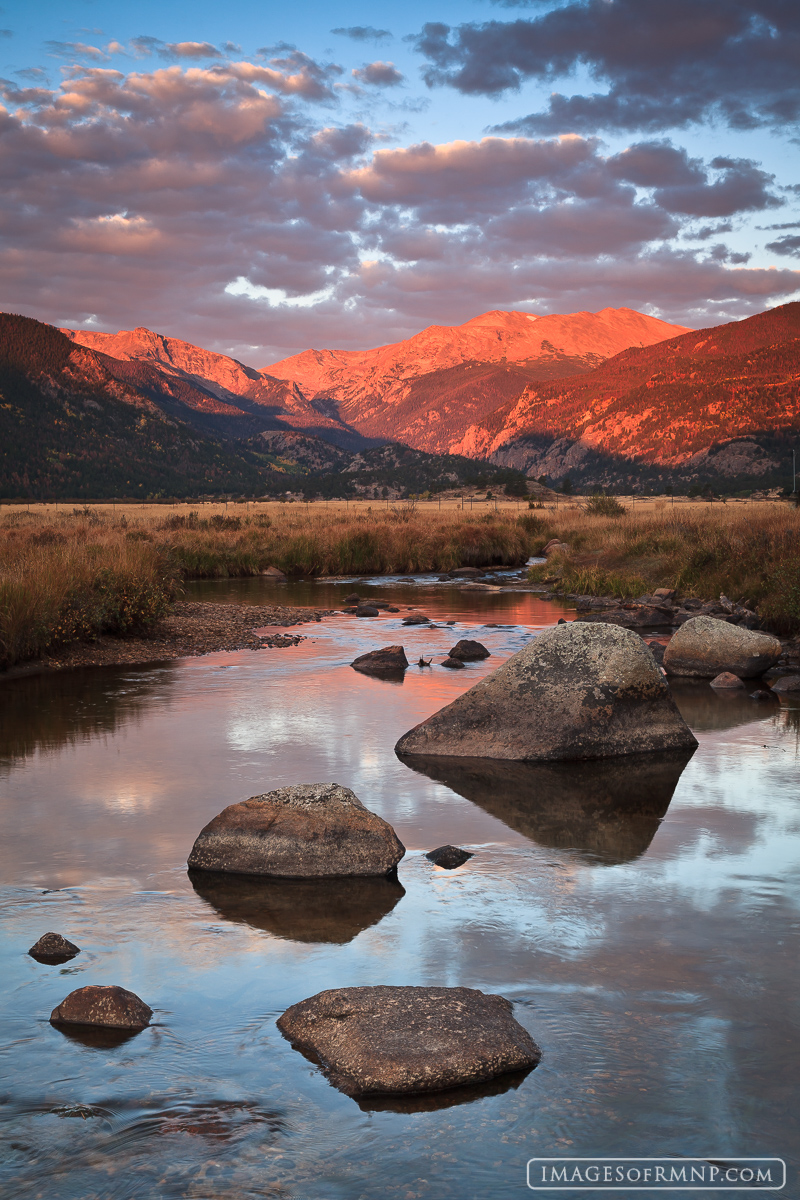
x,y
607,811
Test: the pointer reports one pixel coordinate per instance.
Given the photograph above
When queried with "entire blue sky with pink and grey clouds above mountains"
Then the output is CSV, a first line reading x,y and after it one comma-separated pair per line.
x,y
261,178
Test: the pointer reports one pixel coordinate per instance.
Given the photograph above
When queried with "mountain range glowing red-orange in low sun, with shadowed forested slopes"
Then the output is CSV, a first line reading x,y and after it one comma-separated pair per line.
x,y
615,398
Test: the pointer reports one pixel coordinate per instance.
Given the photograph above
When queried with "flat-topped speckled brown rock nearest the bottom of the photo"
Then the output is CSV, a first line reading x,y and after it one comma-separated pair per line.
x,y
410,1041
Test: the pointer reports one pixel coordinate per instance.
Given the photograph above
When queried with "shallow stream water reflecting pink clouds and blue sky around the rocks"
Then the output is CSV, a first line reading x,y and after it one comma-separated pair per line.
x,y
643,919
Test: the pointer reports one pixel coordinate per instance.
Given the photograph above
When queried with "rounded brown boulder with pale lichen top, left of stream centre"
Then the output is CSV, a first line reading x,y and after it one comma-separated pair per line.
x,y
311,831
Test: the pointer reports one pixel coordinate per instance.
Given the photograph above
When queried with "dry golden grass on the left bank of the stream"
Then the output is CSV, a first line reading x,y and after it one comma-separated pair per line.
x,y
73,575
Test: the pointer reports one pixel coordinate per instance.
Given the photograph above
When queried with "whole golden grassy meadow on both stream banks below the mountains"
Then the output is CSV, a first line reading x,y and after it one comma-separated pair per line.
x,y
71,574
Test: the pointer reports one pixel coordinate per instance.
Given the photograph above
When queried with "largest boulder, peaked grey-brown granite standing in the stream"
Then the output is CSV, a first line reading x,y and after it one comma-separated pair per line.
x,y
575,692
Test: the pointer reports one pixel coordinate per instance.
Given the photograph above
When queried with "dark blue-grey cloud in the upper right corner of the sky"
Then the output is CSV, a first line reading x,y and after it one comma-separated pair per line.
x,y
660,63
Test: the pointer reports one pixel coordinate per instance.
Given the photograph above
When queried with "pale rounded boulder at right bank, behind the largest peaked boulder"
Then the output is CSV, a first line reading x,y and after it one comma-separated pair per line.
x,y
706,647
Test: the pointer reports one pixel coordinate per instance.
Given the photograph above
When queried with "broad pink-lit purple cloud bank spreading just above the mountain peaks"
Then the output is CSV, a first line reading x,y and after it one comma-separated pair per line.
x,y
208,202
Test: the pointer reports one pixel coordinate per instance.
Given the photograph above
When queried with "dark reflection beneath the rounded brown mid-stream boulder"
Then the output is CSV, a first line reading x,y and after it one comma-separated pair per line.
x,y
333,911
